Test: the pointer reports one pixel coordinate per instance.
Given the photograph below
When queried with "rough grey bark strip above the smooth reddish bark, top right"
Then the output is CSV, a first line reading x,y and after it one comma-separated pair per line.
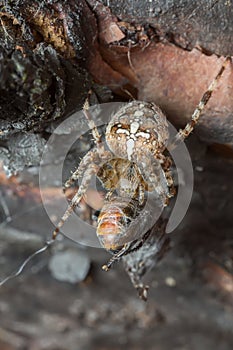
x,y
187,23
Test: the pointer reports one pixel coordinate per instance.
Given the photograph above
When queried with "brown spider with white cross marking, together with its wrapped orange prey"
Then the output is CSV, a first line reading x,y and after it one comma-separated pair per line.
x,y
133,163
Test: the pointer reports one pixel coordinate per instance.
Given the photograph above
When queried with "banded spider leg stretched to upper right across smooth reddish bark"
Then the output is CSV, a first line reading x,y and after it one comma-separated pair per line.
x,y
184,133
